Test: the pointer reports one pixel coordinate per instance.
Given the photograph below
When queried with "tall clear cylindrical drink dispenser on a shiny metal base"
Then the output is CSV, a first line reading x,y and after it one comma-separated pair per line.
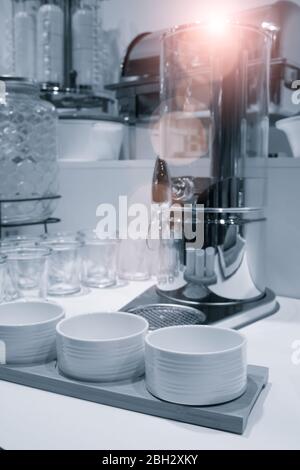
x,y
214,109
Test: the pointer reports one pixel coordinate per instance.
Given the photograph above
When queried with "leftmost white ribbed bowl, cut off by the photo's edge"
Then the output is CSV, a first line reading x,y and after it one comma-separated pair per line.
x,y
27,331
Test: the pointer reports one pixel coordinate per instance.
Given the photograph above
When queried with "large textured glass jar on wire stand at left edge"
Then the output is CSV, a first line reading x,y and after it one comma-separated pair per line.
x,y
28,163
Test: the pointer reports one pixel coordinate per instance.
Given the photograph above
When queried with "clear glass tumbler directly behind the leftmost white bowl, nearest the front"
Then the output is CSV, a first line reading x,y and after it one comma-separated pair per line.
x,y
27,272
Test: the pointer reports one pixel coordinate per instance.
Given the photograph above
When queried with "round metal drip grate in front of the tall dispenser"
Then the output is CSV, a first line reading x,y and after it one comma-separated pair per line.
x,y
162,315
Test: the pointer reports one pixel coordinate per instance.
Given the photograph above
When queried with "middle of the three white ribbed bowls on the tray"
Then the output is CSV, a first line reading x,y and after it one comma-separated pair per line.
x,y
102,347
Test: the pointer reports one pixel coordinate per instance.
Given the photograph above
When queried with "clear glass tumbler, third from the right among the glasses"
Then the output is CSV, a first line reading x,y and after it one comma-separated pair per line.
x,y
63,266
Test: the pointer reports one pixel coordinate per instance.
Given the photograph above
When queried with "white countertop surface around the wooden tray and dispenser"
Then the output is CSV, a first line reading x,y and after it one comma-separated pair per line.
x,y
33,419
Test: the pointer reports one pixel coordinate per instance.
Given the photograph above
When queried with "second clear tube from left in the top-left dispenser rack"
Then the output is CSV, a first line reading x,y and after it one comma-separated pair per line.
x,y
50,42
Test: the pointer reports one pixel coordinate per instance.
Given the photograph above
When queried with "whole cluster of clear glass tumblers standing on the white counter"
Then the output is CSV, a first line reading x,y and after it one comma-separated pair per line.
x,y
61,264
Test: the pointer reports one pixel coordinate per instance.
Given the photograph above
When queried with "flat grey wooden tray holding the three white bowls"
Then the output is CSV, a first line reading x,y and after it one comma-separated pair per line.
x,y
133,396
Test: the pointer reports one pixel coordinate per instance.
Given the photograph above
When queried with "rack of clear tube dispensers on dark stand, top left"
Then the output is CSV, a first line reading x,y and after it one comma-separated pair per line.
x,y
62,45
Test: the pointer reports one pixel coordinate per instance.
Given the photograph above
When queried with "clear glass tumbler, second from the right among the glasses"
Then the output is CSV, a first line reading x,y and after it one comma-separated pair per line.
x,y
99,262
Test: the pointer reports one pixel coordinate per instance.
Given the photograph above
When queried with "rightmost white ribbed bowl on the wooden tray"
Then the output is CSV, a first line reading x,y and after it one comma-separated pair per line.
x,y
196,365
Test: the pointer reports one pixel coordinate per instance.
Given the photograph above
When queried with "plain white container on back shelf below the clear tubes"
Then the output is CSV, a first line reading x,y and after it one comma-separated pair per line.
x,y
89,139
